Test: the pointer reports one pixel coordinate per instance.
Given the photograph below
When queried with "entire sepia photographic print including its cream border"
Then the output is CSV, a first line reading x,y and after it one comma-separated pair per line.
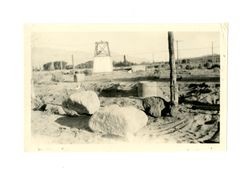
x,y
108,87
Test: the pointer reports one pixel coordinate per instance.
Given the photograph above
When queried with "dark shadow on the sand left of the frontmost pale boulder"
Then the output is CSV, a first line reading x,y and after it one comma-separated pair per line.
x,y
75,122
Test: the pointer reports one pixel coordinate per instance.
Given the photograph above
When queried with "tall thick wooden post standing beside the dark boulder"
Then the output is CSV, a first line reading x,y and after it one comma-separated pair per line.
x,y
173,76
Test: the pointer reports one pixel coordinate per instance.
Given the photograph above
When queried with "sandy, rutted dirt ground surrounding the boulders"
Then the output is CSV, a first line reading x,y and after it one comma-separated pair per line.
x,y
196,122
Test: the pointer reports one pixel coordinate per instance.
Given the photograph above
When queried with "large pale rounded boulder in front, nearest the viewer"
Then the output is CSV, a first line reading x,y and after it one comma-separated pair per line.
x,y
120,121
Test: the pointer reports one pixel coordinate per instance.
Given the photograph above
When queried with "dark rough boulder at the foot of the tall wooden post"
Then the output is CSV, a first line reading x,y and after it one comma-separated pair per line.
x,y
156,106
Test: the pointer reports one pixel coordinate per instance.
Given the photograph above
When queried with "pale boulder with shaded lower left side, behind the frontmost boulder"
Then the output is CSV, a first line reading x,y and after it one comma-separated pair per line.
x,y
85,102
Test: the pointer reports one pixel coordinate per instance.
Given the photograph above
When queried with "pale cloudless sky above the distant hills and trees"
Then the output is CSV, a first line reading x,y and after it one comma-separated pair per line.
x,y
137,46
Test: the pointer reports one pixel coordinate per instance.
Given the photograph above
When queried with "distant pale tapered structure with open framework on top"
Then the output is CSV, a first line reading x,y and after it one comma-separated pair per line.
x,y
102,58
